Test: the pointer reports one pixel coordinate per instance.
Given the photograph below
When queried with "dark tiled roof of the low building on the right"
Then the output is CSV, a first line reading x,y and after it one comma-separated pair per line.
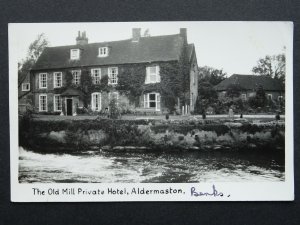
x,y
250,82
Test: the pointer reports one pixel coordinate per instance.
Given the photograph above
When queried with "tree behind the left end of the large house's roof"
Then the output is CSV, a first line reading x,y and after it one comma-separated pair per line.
x,y
34,51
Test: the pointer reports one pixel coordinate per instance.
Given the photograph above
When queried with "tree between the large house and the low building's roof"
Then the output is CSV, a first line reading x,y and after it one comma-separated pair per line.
x,y
212,75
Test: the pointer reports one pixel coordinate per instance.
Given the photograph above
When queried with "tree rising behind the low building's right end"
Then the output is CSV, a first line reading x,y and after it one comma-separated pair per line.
x,y
271,66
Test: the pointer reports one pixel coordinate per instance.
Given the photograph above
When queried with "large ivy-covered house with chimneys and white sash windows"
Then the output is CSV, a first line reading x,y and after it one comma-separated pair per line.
x,y
152,74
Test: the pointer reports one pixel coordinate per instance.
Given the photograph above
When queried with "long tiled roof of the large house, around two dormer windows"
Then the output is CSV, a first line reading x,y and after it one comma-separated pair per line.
x,y
148,49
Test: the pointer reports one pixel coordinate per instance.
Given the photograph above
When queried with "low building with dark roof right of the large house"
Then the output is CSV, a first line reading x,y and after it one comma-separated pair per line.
x,y
249,84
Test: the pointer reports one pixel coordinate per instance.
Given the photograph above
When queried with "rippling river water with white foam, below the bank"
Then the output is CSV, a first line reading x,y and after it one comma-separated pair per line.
x,y
91,166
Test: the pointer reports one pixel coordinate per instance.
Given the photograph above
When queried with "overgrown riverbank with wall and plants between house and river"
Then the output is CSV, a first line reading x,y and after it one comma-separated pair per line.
x,y
151,135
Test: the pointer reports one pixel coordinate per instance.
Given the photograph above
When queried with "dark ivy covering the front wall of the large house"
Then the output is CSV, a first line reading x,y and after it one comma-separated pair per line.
x,y
131,82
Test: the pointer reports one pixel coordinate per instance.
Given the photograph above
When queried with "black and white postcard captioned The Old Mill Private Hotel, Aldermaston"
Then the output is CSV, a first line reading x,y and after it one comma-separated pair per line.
x,y
138,111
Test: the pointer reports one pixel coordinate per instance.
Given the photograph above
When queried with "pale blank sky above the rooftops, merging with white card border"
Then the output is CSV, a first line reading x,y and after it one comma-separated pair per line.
x,y
234,47
